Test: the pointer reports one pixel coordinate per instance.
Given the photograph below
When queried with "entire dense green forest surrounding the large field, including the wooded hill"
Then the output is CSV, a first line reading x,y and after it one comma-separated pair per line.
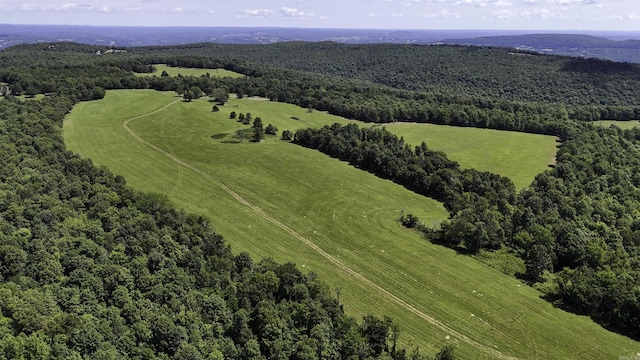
x,y
68,226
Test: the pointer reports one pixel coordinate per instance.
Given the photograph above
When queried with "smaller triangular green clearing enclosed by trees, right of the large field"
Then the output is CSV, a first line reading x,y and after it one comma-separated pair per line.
x,y
517,156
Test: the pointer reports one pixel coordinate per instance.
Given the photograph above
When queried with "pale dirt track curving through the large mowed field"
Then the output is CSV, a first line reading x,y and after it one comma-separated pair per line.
x,y
438,324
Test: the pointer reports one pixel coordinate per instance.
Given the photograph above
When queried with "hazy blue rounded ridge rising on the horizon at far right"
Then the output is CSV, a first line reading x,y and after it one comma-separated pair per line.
x,y
562,44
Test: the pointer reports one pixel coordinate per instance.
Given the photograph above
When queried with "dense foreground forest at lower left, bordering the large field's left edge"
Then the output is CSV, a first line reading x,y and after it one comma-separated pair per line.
x,y
89,268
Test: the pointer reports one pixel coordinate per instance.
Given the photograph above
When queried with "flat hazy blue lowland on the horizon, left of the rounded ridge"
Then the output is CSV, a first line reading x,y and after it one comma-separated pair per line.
x,y
151,36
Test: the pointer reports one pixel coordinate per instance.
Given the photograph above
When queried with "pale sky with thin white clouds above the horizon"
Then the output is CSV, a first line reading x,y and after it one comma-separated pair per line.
x,y
614,15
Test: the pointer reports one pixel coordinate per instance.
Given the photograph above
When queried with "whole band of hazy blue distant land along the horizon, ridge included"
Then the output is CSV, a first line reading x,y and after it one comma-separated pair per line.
x,y
616,46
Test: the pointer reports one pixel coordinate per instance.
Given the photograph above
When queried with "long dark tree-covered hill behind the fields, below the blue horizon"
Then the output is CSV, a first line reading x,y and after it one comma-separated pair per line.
x,y
495,73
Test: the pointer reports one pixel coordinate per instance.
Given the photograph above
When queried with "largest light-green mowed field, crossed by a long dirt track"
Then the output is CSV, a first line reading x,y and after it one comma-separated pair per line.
x,y
276,199
